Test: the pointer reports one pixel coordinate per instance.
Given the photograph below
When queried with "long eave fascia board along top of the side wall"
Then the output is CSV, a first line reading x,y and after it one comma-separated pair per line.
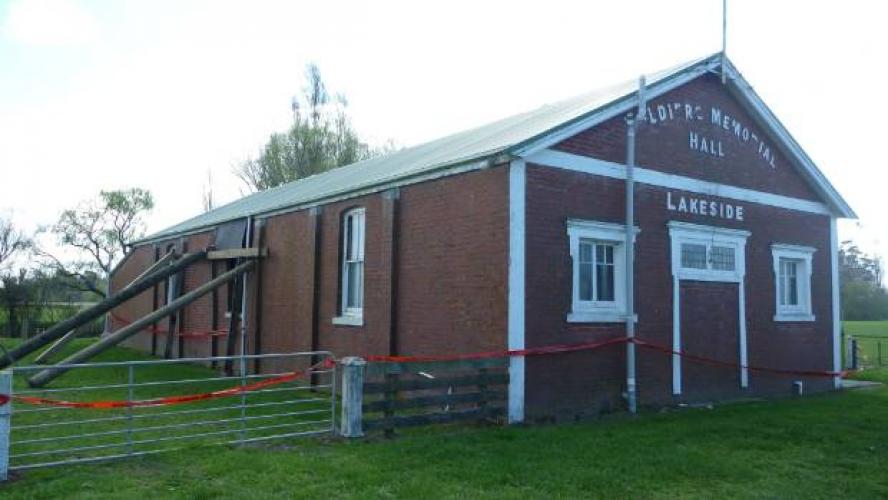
x,y
486,162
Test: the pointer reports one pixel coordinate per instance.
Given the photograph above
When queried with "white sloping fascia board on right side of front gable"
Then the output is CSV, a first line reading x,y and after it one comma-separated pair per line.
x,y
809,168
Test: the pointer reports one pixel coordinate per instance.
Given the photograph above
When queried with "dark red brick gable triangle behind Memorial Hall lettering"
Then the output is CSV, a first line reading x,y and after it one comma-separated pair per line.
x,y
664,145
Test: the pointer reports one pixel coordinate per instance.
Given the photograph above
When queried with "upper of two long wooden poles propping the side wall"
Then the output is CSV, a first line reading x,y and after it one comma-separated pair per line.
x,y
63,327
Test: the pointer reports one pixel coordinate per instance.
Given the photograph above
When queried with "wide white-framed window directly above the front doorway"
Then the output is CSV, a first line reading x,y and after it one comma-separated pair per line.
x,y
706,253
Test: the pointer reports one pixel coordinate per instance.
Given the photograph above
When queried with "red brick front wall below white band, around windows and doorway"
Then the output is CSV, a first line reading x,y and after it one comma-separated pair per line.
x,y
555,195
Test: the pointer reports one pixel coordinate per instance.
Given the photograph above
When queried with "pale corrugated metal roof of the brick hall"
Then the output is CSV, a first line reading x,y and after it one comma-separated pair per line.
x,y
474,144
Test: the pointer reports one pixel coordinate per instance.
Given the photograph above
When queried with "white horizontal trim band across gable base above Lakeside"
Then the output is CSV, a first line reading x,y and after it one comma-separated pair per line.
x,y
594,166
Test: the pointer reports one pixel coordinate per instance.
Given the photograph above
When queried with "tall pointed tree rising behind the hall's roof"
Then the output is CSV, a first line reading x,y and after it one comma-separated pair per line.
x,y
318,140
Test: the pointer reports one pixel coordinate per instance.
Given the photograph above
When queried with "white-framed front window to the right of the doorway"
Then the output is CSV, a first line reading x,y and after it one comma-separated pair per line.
x,y
792,282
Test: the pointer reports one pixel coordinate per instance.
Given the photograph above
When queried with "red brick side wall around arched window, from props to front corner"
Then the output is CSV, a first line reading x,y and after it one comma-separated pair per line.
x,y
452,283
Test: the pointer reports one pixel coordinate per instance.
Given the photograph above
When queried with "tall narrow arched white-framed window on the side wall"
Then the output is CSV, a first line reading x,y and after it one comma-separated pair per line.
x,y
352,268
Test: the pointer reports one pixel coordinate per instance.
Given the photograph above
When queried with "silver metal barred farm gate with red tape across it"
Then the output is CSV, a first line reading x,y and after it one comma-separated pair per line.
x,y
109,410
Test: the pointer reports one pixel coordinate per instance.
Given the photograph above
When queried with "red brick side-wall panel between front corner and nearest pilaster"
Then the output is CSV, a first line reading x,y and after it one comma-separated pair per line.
x,y
453,264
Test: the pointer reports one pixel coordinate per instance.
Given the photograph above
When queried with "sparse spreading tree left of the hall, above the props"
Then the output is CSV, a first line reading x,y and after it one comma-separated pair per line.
x,y
97,234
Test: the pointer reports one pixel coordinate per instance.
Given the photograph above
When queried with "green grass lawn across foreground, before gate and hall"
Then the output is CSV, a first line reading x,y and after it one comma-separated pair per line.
x,y
821,446
